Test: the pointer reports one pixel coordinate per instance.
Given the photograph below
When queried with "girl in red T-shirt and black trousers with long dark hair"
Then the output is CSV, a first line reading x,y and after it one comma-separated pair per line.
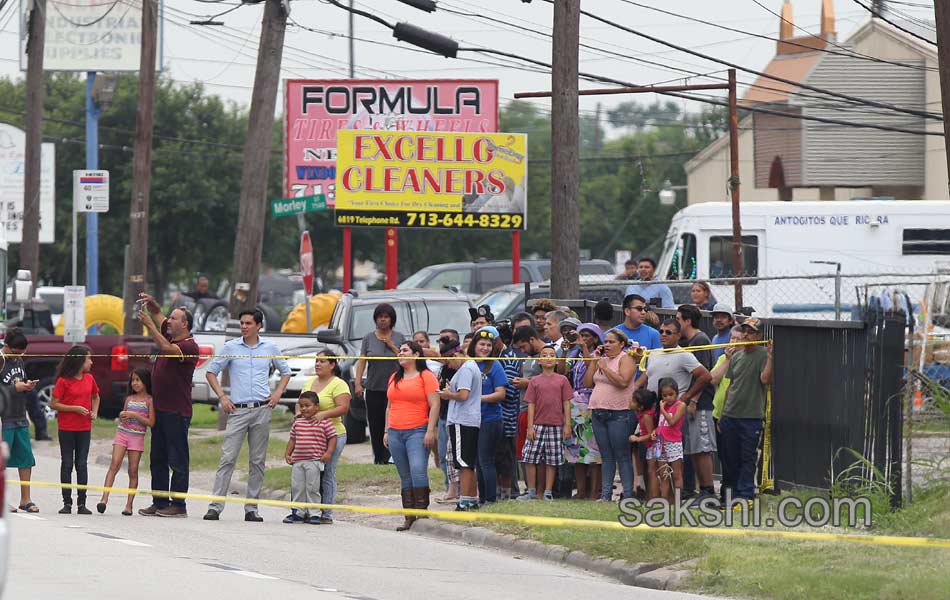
x,y
76,402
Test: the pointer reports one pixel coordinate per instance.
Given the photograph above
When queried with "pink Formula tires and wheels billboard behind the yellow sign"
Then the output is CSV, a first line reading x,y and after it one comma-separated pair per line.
x,y
315,110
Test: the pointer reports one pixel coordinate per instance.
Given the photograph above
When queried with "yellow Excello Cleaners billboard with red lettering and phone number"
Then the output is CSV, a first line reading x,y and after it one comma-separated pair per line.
x,y
444,180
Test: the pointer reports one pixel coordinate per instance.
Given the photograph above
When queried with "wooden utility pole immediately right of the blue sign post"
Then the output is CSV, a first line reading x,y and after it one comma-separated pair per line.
x,y
137,266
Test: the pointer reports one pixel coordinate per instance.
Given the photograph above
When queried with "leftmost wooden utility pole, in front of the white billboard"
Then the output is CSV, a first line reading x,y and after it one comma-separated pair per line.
x,y
35,99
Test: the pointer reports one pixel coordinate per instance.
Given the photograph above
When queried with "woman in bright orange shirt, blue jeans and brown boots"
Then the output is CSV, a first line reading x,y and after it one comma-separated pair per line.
x,y
411,424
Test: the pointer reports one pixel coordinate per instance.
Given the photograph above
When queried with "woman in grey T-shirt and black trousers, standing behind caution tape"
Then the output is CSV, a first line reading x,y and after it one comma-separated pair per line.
x,y
383,342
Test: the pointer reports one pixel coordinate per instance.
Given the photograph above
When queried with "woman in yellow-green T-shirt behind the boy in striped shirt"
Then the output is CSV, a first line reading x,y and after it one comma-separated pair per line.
x,y
334,402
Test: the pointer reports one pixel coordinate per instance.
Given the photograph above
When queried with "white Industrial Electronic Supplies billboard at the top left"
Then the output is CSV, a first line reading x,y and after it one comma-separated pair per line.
x,y
90,35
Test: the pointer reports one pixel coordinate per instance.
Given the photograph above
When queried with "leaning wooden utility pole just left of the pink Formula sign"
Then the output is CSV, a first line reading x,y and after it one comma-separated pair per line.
x,y
257,154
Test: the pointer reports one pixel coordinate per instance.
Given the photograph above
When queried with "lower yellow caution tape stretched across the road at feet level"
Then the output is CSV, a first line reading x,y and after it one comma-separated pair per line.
x,y
476,517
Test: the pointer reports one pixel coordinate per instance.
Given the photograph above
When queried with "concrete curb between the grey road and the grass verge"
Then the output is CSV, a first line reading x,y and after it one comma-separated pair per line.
x,y
648,575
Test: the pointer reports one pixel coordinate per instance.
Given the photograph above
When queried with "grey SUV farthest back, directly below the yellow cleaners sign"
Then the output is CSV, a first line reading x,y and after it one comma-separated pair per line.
x,y
480,276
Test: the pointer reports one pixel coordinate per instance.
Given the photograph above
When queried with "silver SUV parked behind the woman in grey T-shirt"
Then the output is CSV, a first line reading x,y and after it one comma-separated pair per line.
x,y
416,310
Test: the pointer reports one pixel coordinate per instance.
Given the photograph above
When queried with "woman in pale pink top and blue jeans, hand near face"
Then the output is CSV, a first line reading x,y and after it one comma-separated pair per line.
x,y
612,377
